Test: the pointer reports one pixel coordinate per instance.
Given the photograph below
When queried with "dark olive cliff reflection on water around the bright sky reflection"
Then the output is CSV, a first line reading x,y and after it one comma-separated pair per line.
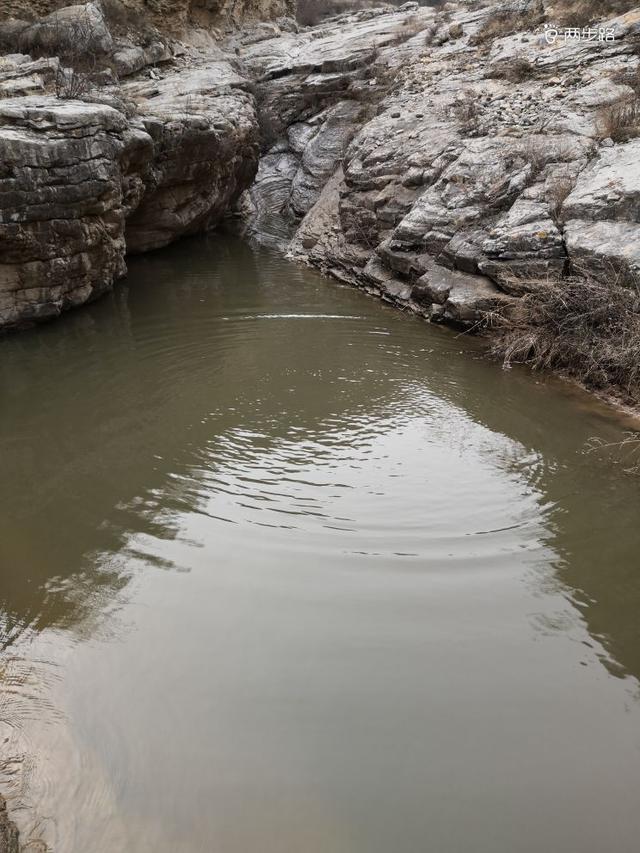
x,y
106,416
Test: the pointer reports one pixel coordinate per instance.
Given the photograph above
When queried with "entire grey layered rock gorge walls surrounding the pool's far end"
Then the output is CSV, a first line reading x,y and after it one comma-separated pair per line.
x,y
438,159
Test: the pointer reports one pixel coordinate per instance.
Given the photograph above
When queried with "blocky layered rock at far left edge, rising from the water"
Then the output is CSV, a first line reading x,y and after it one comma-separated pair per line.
x,y
61,217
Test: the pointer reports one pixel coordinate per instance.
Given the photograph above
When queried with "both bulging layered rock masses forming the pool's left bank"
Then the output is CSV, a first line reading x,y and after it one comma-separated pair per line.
x,y
83,182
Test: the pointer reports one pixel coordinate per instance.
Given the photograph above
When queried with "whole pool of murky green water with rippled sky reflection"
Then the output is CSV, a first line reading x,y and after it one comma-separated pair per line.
x,y
285,570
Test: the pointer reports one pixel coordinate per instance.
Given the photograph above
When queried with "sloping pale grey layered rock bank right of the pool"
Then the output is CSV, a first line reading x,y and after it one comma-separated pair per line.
x,y
484,164
